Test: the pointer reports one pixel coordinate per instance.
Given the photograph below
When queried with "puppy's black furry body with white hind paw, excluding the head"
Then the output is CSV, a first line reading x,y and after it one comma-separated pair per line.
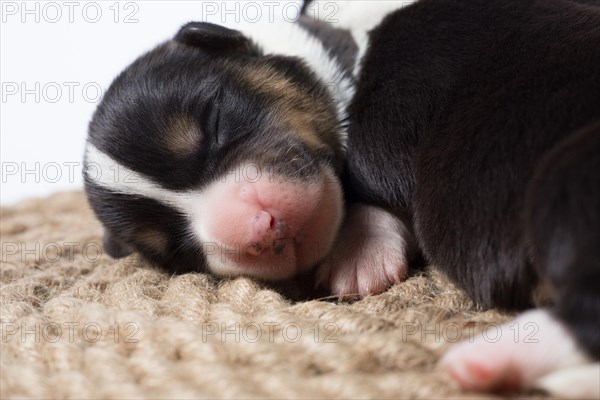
x,y
481,119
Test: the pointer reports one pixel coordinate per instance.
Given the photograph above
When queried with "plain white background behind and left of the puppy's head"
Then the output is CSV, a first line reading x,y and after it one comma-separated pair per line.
x,y
51,51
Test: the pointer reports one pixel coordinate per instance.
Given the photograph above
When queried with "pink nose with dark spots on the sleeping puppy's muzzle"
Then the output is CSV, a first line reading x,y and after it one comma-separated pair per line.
x,y
266,232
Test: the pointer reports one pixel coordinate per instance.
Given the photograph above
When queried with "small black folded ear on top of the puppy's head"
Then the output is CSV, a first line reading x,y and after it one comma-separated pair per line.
x,y
214,38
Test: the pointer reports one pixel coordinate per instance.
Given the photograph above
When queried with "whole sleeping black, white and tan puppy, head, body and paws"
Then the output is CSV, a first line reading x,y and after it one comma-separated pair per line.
x,y
223,150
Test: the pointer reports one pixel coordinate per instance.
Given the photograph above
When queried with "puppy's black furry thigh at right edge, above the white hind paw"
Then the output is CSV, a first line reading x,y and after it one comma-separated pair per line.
x,y
562,217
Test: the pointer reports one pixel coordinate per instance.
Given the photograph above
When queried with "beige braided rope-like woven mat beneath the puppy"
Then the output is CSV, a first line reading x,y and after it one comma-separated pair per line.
x,y
77,324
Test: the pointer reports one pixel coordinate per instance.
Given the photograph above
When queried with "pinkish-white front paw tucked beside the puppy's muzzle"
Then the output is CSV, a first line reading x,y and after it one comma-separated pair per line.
x,y
371,253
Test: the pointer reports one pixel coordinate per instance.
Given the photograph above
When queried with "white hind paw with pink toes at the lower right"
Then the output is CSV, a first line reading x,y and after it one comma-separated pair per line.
x,y
533,351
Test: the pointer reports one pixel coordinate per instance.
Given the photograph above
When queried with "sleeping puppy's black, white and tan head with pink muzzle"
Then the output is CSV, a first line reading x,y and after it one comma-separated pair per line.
x,y
205,154
